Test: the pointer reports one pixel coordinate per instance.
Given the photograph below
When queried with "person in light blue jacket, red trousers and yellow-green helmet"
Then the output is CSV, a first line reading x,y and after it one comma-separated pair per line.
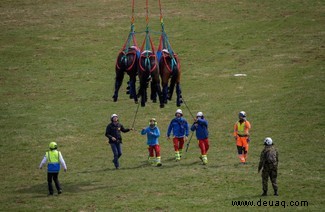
x,y
153,134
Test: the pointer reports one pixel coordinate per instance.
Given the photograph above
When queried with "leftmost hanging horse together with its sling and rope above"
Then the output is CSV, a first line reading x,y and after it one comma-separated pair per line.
x,y
127,62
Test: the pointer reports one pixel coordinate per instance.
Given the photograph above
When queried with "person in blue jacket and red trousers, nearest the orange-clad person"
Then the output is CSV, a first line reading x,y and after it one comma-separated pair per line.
x,y
200,125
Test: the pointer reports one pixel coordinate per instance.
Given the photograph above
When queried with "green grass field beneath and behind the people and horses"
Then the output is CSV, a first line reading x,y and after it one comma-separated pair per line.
x,y
57,63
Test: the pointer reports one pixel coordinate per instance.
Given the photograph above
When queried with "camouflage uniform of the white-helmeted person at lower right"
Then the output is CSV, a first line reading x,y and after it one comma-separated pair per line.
x,y
269,168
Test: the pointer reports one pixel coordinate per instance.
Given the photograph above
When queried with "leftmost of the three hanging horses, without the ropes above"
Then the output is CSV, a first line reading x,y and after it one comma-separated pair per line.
x,y
127,61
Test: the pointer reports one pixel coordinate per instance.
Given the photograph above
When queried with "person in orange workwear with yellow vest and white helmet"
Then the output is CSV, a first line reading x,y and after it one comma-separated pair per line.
x,y
242,137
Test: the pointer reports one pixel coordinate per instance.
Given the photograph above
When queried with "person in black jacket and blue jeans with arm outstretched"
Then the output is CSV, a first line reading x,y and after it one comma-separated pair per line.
x,y
113,133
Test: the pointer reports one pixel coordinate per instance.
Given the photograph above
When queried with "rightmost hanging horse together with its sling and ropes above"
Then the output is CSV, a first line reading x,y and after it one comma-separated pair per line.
x,y
169,67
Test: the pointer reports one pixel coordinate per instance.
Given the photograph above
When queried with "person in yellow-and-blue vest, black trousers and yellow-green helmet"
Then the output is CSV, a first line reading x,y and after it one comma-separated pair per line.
x,y
53,158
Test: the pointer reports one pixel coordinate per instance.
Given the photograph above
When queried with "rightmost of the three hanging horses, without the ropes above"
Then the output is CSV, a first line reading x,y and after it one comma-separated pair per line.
x,y
170,73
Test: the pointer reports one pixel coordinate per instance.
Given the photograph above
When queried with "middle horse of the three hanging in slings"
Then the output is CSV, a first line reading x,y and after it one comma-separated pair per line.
x,y
149,72
